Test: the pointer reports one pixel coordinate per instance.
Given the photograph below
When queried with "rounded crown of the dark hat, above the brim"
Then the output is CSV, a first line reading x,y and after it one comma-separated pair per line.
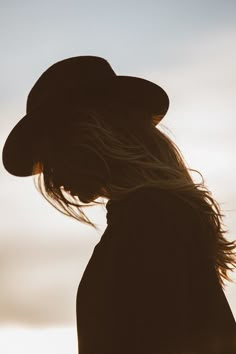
x,y
67,75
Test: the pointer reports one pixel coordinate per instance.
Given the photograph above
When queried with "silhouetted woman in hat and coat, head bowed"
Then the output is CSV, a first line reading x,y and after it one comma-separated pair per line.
x,y
154,283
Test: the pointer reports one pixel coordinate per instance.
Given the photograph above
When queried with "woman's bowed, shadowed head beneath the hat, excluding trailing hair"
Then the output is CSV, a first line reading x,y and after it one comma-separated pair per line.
x,y
104,151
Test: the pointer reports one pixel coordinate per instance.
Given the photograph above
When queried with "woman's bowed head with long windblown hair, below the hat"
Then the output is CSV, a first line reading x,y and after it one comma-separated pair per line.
x,y
96,154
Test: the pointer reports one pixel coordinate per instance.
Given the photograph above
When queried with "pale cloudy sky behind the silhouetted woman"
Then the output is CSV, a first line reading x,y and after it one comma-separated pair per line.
x,y
189,48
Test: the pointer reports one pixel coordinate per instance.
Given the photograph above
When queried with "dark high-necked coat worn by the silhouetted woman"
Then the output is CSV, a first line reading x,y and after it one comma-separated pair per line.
x,y
150,286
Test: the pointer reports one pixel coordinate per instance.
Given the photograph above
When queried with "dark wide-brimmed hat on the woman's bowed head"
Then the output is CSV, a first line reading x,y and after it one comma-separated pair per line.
x,y
66,84
